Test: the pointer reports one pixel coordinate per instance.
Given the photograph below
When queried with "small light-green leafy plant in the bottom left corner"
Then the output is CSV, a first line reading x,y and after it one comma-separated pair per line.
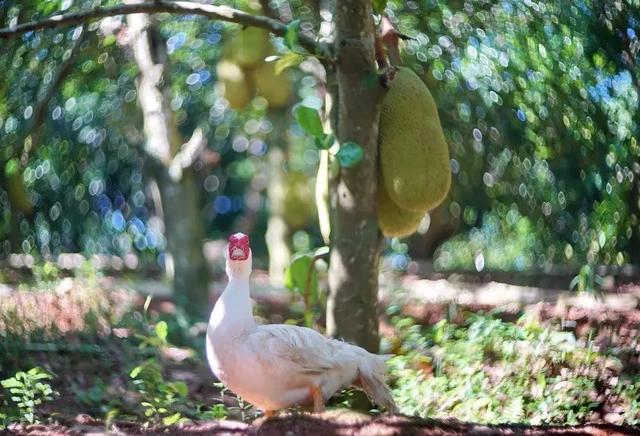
x,y
28,391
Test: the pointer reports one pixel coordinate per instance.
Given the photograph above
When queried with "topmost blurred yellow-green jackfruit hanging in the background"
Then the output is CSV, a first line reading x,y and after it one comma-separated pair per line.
x,y
249,47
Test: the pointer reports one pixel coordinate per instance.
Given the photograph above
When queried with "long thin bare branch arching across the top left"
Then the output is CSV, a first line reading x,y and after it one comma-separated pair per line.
x,y
222,13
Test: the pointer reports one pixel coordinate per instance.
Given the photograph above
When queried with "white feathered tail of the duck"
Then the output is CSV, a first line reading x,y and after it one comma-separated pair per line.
x,y
372,372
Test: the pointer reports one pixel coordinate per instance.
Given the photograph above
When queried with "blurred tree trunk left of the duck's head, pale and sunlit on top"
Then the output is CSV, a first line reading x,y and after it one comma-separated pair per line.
x,y
178,190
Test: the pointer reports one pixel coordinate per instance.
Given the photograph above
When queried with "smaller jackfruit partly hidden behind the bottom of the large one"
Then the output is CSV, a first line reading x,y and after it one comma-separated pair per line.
x,y
393,220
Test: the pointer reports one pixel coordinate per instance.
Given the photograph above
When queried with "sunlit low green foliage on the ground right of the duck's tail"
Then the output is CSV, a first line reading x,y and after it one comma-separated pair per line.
x,y
491,371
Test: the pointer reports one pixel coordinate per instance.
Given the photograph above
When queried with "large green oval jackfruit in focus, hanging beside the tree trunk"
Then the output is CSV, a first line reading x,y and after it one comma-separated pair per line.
x,y
414,156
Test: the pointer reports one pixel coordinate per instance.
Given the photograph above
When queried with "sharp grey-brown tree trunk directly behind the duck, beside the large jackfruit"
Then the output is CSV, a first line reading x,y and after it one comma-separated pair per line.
x,y
353,272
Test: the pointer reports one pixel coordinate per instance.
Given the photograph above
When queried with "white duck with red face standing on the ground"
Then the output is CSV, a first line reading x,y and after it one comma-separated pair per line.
x,y
277,366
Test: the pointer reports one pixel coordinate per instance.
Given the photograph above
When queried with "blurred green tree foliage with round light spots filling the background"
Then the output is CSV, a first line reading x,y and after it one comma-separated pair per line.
x,y
538,100
